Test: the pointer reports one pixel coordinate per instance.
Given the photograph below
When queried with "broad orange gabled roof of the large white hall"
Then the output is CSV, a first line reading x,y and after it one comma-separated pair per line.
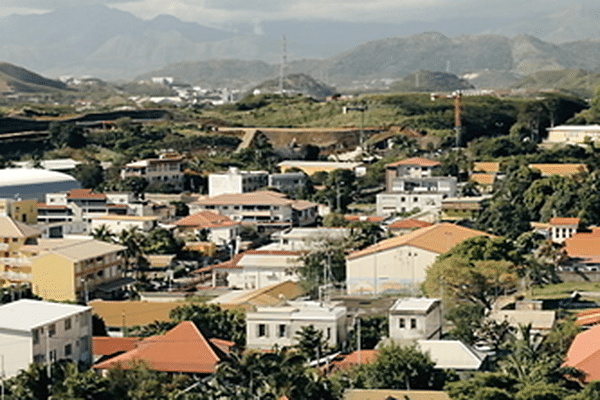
x,y
436,238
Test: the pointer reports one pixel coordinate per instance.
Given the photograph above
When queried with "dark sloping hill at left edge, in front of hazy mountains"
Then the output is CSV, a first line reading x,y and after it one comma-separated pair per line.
x,y
17,79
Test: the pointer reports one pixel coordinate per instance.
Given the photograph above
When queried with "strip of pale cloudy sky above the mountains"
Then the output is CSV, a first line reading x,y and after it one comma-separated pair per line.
x,y
222,12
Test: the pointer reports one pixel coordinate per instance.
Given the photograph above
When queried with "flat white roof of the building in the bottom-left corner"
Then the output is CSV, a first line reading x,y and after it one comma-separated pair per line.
x,y
26,314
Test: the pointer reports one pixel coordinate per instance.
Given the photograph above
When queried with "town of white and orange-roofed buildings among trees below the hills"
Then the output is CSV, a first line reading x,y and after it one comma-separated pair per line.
x,y
367,262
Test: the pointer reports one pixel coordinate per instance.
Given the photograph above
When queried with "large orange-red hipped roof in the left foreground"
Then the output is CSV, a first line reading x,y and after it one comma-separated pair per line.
x,y
182,349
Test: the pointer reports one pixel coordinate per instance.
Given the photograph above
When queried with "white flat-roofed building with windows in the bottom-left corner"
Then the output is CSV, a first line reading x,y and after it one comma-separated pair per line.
x,y
33,331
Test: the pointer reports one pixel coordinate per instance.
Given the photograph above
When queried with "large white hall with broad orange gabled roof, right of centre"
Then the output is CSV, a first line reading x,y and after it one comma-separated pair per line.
x,y
400,263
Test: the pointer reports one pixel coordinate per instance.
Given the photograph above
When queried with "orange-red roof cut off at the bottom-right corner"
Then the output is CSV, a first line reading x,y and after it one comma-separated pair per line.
x,y
584,354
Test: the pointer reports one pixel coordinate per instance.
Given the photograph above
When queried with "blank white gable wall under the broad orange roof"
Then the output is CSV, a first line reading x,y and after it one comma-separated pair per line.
x,y
398,269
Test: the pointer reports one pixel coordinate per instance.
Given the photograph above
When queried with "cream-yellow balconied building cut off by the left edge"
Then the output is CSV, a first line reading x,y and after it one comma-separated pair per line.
x,y
14,235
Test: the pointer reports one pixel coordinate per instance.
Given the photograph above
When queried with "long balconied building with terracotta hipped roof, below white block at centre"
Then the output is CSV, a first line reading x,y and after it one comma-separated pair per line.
x,y
265,208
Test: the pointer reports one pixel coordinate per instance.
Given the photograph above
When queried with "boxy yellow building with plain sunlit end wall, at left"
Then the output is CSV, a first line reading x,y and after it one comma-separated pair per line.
x,y
71,269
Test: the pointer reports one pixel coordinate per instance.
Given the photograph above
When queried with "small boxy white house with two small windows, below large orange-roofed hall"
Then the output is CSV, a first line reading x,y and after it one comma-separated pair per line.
x,y
415,318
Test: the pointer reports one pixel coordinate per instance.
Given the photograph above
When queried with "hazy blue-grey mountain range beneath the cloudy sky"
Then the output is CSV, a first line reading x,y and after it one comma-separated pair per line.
x,y
115,45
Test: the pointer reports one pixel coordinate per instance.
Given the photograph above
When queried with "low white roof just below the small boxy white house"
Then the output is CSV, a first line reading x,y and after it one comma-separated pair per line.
x,y
451,354
